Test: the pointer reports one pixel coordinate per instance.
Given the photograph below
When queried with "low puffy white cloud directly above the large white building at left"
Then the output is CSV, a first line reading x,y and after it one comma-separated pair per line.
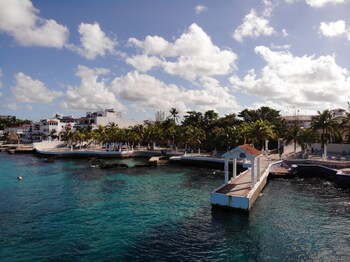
x,y
92,93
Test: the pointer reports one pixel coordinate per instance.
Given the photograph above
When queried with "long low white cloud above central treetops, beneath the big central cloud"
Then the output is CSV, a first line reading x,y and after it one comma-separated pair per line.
x,y
145,91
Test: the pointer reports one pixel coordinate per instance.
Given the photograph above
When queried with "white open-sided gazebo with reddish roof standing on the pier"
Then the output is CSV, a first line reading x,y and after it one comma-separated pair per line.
x,y
251,159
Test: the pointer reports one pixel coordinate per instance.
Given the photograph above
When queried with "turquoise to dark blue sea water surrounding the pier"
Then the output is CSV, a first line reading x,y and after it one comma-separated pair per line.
x,y
68,211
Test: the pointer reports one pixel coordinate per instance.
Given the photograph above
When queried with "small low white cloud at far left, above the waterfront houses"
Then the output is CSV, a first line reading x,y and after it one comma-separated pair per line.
x,y
28,90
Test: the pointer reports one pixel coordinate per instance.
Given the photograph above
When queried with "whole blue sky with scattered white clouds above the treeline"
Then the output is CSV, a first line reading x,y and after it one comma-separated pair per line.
x,y
138,57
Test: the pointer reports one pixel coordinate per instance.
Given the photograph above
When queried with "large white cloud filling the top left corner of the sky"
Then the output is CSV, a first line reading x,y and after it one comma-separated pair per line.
x,y
19,18
